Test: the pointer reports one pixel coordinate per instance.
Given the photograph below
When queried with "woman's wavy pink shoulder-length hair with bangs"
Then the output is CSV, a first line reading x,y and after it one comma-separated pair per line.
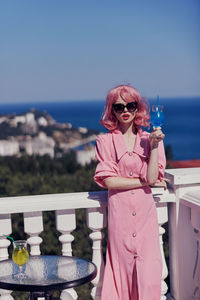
x,y
128,94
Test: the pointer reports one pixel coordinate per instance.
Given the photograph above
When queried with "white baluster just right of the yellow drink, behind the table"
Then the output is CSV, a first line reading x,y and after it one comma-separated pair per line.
x,y
33,226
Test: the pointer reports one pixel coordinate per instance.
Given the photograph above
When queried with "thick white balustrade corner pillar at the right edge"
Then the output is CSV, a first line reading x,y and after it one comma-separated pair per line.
x,y
184,216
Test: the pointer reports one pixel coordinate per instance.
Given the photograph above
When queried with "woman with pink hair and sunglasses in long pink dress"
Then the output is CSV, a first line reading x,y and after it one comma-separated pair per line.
x,y
130,160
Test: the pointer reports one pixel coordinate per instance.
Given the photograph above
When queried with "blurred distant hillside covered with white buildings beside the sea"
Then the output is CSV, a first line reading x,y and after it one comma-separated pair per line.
x,y
37,133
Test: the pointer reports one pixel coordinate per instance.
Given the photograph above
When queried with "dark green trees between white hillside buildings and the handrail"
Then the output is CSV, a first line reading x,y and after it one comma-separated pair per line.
x,y
29,175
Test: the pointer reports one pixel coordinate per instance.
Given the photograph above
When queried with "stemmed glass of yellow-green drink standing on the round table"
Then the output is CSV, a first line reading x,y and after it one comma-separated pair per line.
x,y
20,256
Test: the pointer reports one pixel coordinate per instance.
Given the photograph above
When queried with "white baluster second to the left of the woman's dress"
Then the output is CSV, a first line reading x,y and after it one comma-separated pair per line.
x,y
66,223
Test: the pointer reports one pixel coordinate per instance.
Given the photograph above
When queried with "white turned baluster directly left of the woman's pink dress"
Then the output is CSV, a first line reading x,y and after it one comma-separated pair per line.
x,y
96,221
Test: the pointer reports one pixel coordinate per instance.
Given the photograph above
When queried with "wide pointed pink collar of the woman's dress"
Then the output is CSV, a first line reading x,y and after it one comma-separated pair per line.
x,y
140,147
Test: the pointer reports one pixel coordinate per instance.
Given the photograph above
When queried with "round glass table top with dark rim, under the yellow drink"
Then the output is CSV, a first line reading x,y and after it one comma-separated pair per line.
x,y
47,272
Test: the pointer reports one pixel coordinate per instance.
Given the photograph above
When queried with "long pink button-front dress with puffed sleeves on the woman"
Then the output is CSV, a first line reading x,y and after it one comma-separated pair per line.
x,y
133,260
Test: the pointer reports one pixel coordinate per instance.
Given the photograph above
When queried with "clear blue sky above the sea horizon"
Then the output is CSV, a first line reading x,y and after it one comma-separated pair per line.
x,y
79,49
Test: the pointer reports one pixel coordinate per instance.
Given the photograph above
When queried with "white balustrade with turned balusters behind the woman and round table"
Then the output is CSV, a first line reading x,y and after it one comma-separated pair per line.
x,y
64,206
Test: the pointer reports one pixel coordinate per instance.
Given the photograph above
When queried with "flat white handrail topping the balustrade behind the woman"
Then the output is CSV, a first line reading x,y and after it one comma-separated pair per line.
x,y
50,202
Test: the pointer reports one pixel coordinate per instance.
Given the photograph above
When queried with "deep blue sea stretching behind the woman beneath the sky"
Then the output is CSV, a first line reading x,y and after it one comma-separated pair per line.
x,y
181,126
